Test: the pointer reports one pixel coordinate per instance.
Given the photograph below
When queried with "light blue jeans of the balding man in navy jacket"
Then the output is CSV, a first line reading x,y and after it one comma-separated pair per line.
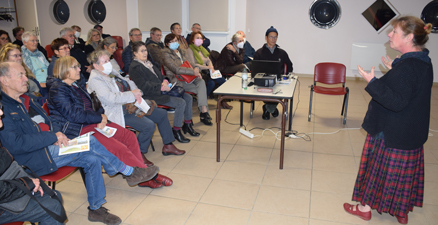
x,y
92,162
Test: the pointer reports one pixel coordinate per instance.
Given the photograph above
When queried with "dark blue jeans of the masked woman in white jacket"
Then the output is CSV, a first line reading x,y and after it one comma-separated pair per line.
x,y
146,127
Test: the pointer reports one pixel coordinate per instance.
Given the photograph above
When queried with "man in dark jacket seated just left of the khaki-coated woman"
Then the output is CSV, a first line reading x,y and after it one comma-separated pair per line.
x,y
155,46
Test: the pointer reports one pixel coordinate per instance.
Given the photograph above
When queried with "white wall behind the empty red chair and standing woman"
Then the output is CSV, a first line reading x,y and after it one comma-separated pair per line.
x,y
307,45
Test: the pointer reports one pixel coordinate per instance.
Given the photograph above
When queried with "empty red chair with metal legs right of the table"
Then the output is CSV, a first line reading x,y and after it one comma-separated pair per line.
x,y
331,74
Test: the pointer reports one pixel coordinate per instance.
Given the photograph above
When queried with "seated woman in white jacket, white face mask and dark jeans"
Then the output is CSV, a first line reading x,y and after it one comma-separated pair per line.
x,y
116,93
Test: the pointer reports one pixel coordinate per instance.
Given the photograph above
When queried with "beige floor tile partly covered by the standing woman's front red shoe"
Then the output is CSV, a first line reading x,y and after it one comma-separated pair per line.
x,y
329,206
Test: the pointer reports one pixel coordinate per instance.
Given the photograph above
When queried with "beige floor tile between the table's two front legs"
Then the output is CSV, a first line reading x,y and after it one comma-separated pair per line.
x,y
250,154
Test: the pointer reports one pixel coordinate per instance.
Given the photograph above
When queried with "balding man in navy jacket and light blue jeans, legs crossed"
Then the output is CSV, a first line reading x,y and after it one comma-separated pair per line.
x,y
38,146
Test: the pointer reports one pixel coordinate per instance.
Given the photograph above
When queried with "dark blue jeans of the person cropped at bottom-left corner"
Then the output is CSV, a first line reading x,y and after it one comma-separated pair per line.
x,y
34,213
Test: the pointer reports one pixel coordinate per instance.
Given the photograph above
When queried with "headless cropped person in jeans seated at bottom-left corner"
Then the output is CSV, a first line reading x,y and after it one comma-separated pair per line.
x,y
9,192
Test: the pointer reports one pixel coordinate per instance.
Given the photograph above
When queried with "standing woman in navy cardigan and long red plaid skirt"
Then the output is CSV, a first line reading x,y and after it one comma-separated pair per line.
x,y
391,173
